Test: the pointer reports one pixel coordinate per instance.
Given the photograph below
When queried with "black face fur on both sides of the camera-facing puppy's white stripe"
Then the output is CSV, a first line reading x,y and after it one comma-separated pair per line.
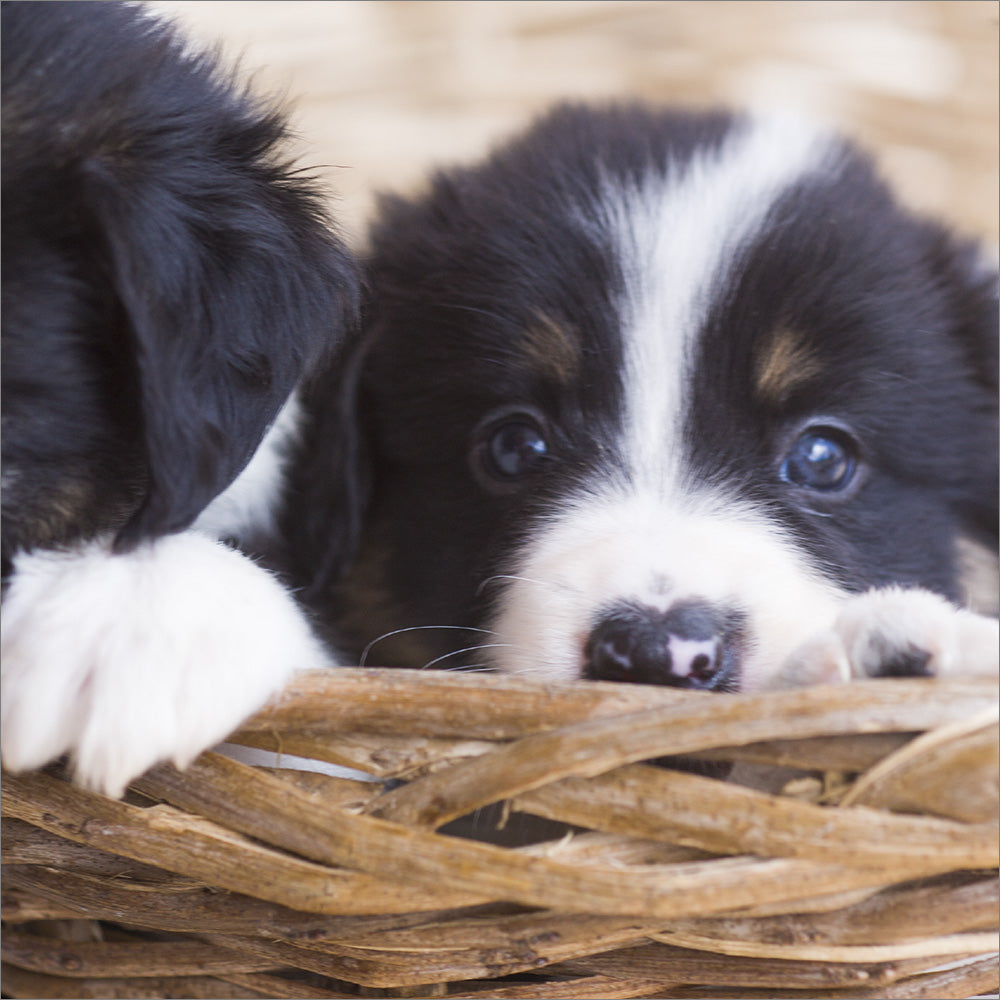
x,y
901,316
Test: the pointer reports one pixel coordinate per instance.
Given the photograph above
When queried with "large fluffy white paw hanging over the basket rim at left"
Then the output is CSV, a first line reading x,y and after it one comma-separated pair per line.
x,y
127,660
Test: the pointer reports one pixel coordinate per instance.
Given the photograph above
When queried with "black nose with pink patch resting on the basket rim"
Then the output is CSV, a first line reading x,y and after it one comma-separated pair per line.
x,y
693,644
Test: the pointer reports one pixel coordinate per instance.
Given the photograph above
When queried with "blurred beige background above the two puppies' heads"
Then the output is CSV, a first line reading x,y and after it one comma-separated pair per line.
x,y
384,90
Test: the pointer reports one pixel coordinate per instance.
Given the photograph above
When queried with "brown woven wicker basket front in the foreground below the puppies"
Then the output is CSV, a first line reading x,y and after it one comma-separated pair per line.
x,y
871,874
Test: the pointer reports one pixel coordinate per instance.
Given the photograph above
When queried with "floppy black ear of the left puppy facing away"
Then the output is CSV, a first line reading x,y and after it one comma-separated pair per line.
x,y
231,286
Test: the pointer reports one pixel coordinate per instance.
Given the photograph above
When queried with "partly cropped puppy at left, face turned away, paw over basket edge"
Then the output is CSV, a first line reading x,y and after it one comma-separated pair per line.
x,y
168,278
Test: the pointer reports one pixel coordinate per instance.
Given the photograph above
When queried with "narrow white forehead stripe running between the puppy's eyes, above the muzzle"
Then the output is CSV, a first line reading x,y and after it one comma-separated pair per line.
x,y
678,236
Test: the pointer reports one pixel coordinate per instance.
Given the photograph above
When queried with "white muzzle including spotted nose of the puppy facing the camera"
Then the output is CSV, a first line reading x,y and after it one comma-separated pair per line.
x,y
720,595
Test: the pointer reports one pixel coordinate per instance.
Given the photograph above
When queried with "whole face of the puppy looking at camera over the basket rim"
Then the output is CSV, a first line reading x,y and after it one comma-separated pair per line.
x,y
648,394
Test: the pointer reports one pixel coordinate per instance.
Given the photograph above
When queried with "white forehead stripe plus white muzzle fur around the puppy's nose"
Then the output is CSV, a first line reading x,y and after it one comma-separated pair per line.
x,y
654,538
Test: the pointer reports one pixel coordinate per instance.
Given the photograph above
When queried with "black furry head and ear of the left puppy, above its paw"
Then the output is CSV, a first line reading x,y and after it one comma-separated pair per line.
x,y
168,276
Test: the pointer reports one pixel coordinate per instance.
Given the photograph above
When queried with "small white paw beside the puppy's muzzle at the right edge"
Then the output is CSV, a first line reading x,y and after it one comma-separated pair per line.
x,y
897,632
